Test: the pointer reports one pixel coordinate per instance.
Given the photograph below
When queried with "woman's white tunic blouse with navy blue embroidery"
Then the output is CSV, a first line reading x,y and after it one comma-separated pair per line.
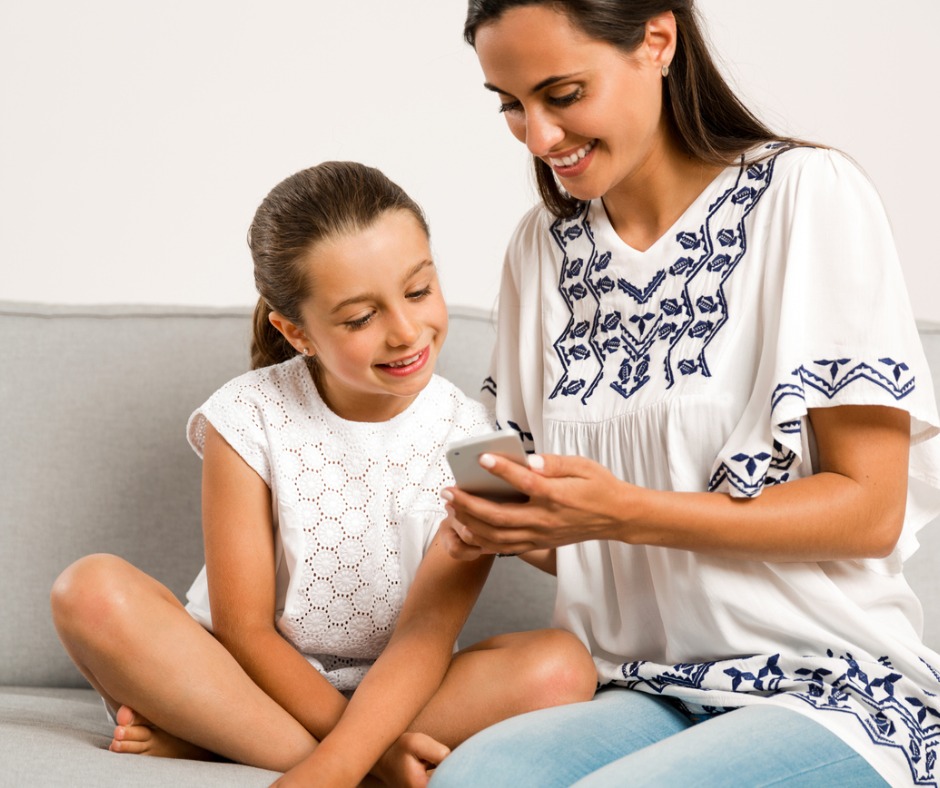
x,y
690,367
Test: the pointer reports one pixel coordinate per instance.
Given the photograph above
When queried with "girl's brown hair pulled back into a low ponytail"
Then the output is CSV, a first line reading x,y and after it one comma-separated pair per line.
x,y
314,205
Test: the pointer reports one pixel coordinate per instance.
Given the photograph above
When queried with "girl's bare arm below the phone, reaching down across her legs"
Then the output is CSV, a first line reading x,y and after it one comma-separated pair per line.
x,y
405,676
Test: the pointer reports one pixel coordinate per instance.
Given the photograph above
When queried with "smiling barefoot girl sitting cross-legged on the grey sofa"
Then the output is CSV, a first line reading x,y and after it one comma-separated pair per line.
x,y
332,605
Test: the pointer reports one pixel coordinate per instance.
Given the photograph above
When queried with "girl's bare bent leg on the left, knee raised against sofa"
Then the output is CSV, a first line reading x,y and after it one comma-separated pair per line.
x,y
138,647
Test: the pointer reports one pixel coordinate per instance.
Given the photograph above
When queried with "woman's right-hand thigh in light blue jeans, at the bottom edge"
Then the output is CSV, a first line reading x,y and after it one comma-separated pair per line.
x,y
753,746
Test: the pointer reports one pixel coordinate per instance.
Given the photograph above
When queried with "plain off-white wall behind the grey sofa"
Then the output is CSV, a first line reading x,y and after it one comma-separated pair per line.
x,y
136,139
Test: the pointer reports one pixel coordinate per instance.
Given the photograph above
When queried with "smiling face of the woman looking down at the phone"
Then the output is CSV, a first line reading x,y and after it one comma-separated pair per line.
x,y
590,111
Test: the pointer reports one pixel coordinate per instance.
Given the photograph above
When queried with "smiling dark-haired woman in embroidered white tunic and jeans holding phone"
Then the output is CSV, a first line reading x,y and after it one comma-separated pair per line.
x,y
705,334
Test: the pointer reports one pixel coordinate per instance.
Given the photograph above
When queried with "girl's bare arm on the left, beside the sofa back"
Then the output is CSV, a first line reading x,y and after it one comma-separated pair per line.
x,y
239,546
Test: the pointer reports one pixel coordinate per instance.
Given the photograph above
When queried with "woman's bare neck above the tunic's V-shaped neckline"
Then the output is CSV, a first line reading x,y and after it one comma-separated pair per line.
x,y
645,205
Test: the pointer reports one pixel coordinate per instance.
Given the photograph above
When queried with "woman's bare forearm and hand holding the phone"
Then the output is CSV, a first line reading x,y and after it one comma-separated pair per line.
x,y
852,507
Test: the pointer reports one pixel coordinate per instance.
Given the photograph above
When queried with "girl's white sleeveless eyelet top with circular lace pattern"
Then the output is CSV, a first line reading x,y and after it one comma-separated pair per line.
x,y
356,505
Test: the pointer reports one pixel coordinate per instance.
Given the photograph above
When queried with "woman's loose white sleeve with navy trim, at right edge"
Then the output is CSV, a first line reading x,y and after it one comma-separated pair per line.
x,y
837,330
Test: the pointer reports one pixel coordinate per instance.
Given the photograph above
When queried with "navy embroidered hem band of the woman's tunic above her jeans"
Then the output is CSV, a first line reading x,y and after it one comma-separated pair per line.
x,y
883,703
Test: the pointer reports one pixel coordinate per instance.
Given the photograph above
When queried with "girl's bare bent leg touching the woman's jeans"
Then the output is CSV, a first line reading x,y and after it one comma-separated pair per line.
x,y
504,676
